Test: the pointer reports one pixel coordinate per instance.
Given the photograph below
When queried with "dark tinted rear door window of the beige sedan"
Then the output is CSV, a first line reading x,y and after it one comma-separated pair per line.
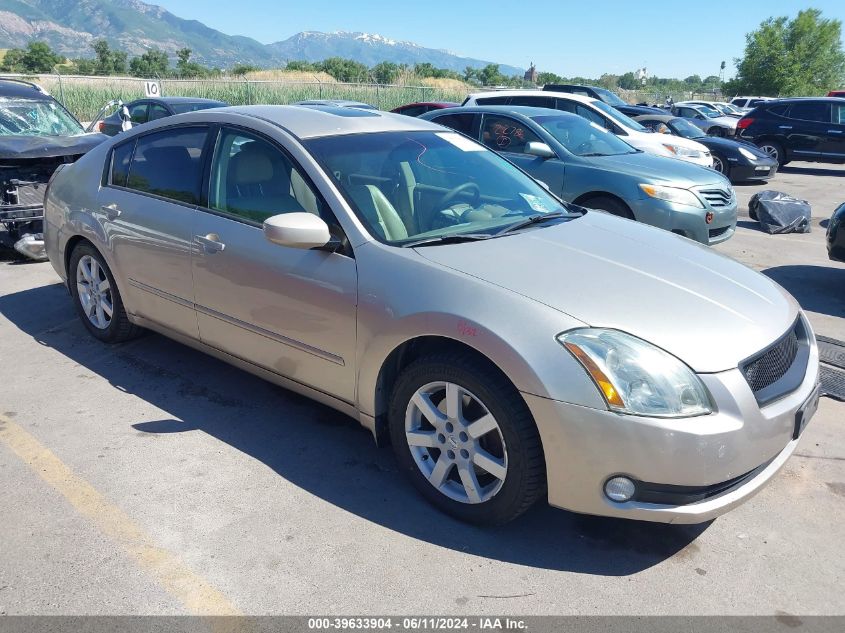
x,y
169,164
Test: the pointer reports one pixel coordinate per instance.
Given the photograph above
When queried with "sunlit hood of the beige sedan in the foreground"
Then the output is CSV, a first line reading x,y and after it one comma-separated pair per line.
x,y
707,309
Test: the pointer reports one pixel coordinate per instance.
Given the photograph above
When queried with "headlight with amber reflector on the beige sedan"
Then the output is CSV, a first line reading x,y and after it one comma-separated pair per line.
x,y
636,377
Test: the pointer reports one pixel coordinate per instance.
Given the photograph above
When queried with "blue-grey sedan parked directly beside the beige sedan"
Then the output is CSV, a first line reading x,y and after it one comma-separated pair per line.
x,y
591,167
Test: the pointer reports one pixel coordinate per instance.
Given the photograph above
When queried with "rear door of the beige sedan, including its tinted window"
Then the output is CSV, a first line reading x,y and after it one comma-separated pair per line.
x,y
146,211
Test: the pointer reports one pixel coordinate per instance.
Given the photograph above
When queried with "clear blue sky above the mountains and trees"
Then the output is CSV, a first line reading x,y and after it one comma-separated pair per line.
x,y
583,38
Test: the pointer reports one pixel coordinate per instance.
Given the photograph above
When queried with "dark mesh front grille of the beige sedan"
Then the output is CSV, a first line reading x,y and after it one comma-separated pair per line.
x,y
780,368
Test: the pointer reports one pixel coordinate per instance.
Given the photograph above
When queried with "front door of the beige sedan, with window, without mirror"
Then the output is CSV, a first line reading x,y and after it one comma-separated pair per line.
x,y
288,310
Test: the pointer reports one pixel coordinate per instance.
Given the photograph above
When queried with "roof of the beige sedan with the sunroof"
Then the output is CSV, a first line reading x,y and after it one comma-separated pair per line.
x,y
306,121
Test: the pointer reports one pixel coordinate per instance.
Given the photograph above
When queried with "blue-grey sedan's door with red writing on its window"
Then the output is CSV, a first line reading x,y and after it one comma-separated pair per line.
x,y
510,137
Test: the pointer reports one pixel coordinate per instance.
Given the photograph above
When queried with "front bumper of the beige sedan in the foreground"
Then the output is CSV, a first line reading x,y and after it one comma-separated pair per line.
x,y
741,441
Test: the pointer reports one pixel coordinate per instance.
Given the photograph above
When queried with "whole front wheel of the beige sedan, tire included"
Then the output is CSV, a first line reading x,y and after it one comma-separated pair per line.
x,y
465,437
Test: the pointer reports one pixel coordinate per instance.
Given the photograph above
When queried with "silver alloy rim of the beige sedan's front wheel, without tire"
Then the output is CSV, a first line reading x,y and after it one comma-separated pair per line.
x,y
456,442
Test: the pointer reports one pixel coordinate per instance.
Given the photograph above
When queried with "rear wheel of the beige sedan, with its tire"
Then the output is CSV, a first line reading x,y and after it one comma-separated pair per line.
x,y
96,296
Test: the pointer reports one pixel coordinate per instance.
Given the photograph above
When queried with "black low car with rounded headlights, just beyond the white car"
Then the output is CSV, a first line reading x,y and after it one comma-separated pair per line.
x,y
739,161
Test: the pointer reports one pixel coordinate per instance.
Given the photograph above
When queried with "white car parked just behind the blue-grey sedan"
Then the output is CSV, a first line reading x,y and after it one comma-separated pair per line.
x,y
602,115
